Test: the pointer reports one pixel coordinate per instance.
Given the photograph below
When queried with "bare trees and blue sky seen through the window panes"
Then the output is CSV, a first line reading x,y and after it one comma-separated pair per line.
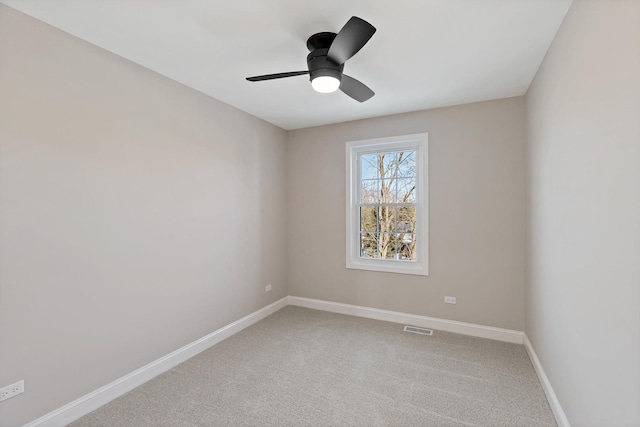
x,y
387,205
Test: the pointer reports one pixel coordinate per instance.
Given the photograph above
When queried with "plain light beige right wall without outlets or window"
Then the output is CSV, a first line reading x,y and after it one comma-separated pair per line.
x,y
583,298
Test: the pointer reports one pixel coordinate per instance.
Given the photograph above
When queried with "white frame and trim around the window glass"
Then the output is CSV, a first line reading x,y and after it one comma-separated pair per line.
x,y
417,143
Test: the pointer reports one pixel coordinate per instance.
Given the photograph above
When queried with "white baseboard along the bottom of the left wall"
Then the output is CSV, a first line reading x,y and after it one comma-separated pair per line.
x,y
97,398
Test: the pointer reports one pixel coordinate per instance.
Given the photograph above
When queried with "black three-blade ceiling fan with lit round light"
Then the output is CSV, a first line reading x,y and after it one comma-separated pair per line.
x,y
329,52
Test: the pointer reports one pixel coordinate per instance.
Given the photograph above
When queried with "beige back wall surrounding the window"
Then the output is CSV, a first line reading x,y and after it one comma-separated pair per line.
x,y
477,215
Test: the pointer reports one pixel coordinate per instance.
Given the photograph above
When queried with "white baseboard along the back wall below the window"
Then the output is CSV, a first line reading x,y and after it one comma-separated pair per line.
x,y
489,332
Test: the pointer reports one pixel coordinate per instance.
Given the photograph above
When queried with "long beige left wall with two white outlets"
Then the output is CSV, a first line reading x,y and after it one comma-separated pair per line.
x,y
136,215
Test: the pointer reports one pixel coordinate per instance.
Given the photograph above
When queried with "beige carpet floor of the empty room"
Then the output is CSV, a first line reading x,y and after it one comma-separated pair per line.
x,y
302,367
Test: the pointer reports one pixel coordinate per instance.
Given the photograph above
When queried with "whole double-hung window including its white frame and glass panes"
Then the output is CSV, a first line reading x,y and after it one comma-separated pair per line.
x,y
387,204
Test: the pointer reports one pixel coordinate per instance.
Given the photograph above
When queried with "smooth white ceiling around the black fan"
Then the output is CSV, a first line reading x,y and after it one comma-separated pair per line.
x,y
425,54
